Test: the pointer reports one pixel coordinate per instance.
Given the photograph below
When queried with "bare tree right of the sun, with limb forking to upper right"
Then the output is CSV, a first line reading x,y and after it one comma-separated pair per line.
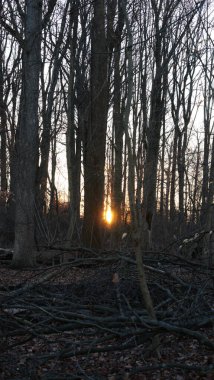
x,y
163,13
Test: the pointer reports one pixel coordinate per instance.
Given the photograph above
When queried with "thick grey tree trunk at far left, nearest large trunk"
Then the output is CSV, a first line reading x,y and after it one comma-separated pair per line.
x,y
27,148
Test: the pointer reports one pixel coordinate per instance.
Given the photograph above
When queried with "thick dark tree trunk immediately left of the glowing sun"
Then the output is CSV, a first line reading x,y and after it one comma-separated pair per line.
x,y
96,133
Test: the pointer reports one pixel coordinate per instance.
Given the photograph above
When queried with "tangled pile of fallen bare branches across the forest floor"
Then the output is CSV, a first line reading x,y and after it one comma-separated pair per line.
x,y
74,310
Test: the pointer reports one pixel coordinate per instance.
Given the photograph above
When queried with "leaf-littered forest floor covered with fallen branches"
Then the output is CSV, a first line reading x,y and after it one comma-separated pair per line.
x,y
71,321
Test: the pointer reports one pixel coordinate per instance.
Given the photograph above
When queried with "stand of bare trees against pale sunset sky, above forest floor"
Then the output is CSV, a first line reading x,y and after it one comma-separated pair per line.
x,y
125,90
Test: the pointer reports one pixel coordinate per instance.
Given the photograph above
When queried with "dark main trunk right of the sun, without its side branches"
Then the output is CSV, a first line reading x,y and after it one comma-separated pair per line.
x,y
153,133
